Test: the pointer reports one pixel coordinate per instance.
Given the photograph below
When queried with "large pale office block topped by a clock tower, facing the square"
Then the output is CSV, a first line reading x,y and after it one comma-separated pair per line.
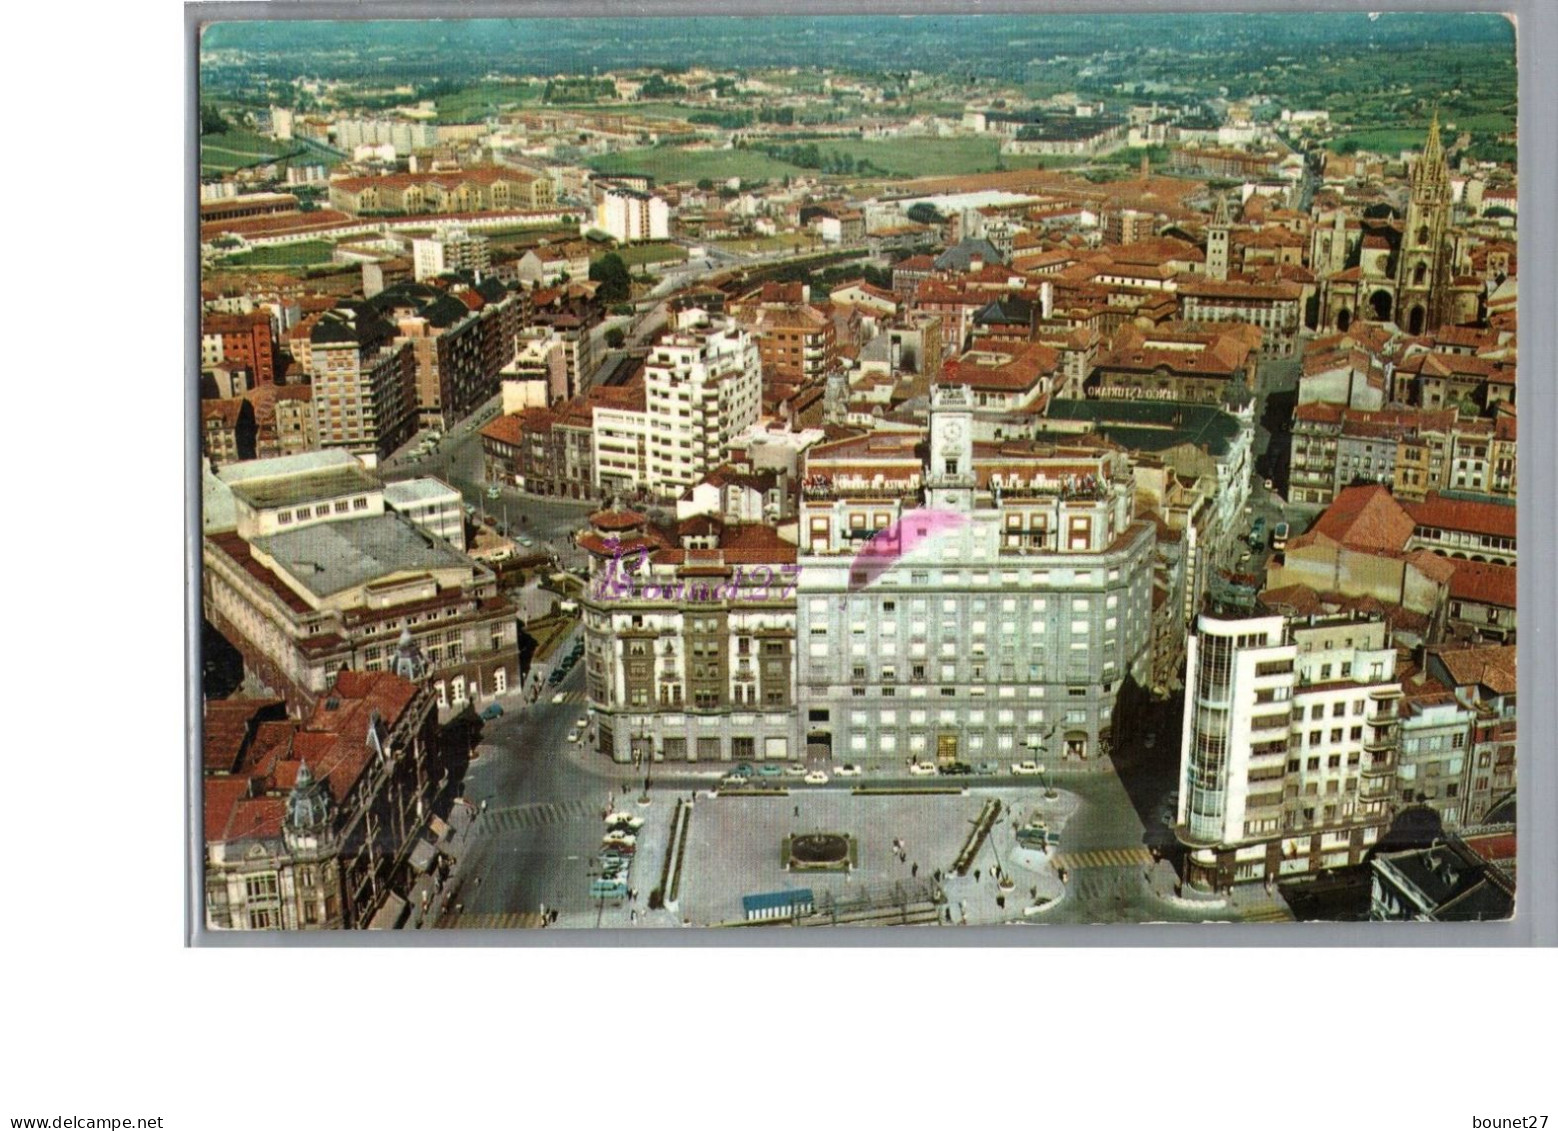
x,y
1003,607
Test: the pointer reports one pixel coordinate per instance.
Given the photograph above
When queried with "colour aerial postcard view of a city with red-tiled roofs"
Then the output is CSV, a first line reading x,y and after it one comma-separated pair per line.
x,y
858,471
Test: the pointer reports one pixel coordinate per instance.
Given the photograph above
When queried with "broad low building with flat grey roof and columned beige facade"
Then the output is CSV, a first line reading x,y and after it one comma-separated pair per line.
x,y
308,574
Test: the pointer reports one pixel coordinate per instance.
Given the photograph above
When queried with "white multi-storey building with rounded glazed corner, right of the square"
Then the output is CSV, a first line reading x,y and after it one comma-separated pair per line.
x,y
1289,753
